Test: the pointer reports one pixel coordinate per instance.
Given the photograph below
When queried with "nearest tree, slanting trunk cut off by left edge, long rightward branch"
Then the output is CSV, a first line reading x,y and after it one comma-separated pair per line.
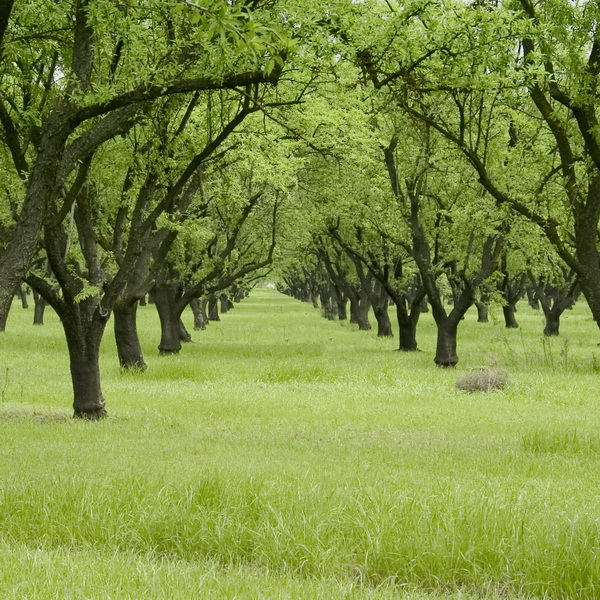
x,y
90,75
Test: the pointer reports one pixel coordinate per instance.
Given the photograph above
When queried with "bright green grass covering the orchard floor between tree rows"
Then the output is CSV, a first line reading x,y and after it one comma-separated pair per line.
x,y
285,456
